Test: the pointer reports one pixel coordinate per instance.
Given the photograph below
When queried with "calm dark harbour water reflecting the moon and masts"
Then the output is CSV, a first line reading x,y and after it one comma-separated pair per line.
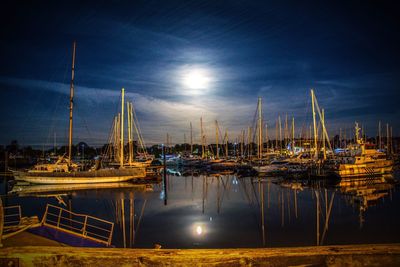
x,y
226,212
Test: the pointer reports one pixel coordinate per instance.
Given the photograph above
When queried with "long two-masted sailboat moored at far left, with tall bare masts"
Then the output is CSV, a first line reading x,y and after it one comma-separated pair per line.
x,y
64,171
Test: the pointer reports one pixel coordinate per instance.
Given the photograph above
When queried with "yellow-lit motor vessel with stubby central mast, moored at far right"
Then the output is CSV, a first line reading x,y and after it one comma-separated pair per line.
x,y
367,162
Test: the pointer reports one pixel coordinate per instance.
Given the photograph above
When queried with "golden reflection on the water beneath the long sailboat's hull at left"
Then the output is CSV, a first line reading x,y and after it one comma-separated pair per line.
x,y
51,188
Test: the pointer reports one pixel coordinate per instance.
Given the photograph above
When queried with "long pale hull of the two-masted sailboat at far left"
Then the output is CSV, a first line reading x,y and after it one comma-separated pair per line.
x,y
86,177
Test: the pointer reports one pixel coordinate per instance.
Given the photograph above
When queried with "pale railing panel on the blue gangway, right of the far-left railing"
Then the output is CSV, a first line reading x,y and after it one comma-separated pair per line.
x,y
82,225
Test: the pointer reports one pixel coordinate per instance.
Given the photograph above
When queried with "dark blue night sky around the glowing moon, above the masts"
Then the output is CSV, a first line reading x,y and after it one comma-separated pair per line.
x,y
348,51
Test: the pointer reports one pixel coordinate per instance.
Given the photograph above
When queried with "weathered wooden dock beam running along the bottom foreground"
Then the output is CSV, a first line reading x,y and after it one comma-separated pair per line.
x,y
349,255
